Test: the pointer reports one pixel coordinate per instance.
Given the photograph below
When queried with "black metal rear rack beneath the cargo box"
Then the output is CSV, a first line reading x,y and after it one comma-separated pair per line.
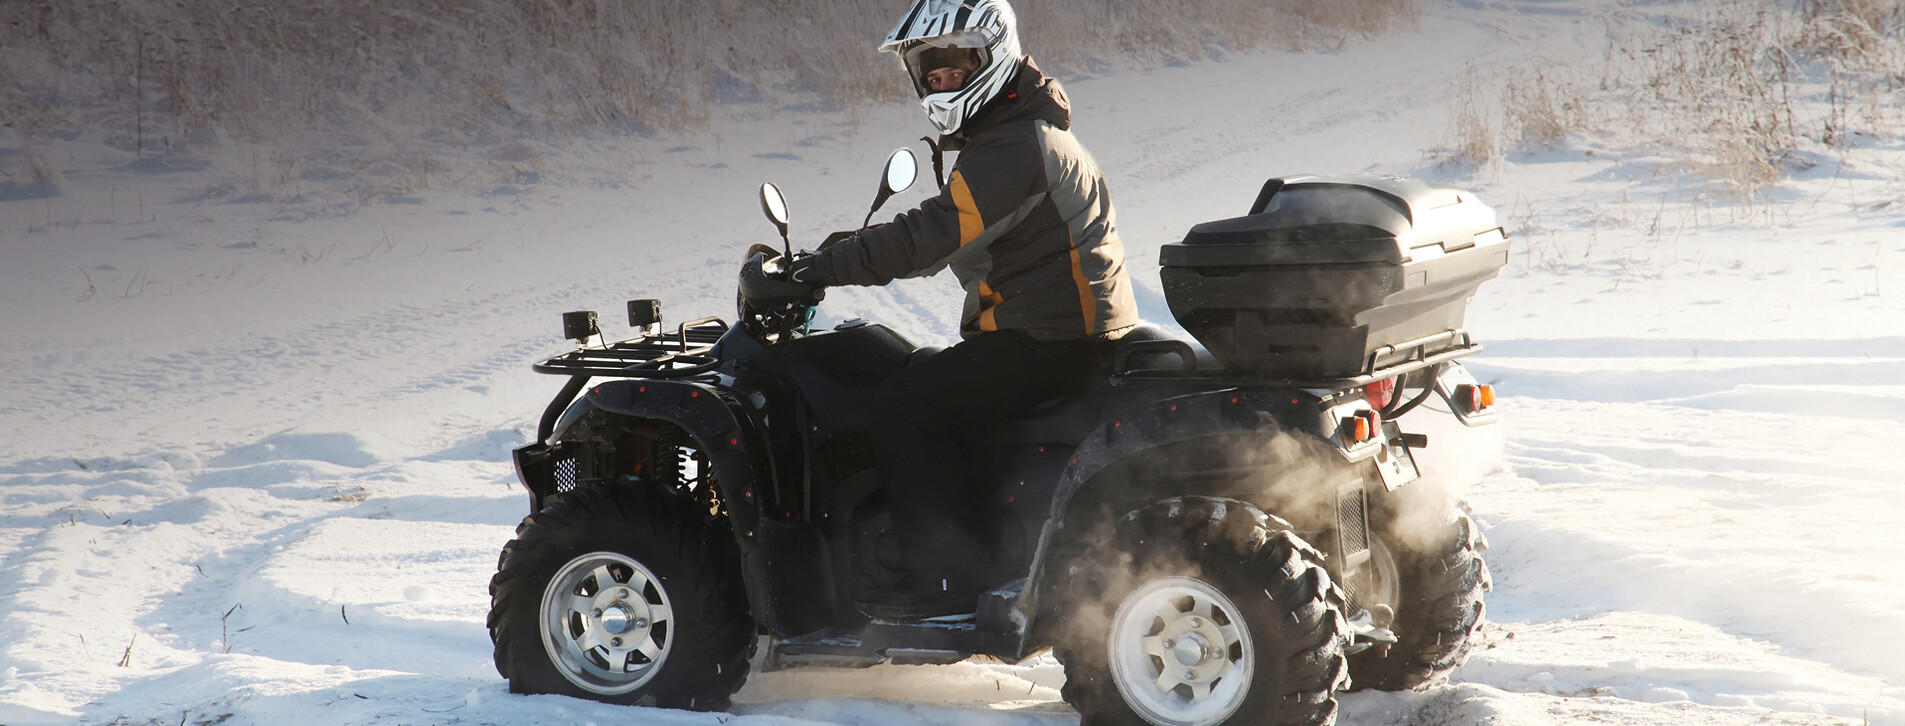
x,y
1388,361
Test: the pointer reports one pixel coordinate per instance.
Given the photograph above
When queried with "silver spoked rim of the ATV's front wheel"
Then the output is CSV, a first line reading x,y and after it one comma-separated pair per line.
x,y
607,624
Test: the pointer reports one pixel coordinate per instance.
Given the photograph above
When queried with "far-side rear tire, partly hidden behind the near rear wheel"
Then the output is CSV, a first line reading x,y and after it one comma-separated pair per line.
x,y
1437,582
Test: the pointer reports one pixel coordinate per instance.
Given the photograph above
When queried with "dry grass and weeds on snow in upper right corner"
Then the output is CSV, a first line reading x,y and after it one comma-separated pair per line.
x,y
1731,89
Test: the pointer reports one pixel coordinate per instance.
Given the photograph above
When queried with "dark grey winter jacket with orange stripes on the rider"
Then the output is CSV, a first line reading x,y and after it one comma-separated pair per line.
x,y
1024,222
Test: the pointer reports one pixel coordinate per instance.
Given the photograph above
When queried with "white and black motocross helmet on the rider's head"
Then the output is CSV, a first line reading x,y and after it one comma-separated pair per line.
x,y
988,28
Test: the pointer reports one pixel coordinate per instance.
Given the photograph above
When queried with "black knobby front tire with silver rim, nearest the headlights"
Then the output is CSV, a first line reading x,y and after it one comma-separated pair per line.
x,y
622,594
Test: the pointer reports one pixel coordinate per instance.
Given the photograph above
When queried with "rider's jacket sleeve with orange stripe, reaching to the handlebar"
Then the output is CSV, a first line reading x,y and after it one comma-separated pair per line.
x,y
992,190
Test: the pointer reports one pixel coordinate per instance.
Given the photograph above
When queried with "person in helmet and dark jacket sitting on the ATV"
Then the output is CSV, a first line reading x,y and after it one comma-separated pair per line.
x,y
1028,228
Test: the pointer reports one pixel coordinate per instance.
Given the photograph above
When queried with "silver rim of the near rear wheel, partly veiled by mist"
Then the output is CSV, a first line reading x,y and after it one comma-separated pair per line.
x,y
1180,653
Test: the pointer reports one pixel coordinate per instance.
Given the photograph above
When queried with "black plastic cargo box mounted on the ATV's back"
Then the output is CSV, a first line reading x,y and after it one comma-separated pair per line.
x,y
1327,272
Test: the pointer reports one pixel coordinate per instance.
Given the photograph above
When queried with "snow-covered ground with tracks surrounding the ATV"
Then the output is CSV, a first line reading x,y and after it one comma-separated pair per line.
x,y
256,441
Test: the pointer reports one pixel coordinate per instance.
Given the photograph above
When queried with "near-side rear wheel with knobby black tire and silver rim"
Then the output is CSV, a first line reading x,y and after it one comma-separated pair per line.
x,y
1205,615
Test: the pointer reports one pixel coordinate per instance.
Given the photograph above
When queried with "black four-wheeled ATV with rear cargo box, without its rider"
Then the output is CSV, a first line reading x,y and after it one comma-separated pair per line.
x,y
1216,534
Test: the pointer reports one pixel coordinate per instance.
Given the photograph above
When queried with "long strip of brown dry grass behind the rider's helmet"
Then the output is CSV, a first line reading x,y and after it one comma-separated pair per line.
x,y
167,75
